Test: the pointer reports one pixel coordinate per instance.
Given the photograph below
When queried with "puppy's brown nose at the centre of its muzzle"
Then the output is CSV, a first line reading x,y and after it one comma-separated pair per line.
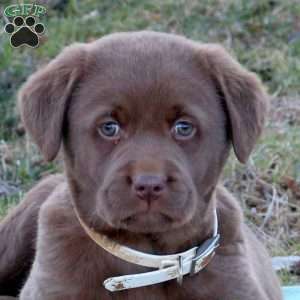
x,y
149,187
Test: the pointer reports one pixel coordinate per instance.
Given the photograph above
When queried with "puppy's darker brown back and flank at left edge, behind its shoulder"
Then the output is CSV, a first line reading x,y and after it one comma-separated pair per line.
x,y
18,232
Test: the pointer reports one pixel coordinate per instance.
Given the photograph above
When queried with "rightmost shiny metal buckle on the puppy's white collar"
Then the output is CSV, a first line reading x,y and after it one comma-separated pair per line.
x,y
205,253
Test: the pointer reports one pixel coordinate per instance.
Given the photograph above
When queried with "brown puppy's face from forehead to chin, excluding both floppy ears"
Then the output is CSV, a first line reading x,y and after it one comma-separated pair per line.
x,y
148,143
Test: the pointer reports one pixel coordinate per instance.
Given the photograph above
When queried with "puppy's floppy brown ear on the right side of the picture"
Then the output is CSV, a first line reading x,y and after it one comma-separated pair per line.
x,y
245,100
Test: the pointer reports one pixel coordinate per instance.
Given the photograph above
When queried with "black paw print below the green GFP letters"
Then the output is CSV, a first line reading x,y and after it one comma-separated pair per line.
x,y
24,32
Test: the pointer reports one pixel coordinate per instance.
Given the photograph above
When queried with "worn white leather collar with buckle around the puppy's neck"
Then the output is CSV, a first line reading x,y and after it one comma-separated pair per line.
x,y
173,266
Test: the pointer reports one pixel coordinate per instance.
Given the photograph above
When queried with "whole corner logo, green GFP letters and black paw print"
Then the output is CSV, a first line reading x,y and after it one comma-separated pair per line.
x,y
25,28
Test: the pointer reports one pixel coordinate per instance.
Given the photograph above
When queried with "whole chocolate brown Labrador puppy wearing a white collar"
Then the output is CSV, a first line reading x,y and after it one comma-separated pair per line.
x,y
146,121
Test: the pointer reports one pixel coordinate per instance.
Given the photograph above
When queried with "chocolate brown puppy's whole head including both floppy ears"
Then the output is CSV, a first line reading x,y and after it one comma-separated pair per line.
x,y
146,121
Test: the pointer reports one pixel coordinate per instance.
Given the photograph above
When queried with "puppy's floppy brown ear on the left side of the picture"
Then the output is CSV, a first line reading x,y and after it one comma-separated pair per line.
x,y
44,97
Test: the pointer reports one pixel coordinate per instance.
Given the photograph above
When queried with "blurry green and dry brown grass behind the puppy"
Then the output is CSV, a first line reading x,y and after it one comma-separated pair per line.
x,y
264,35
